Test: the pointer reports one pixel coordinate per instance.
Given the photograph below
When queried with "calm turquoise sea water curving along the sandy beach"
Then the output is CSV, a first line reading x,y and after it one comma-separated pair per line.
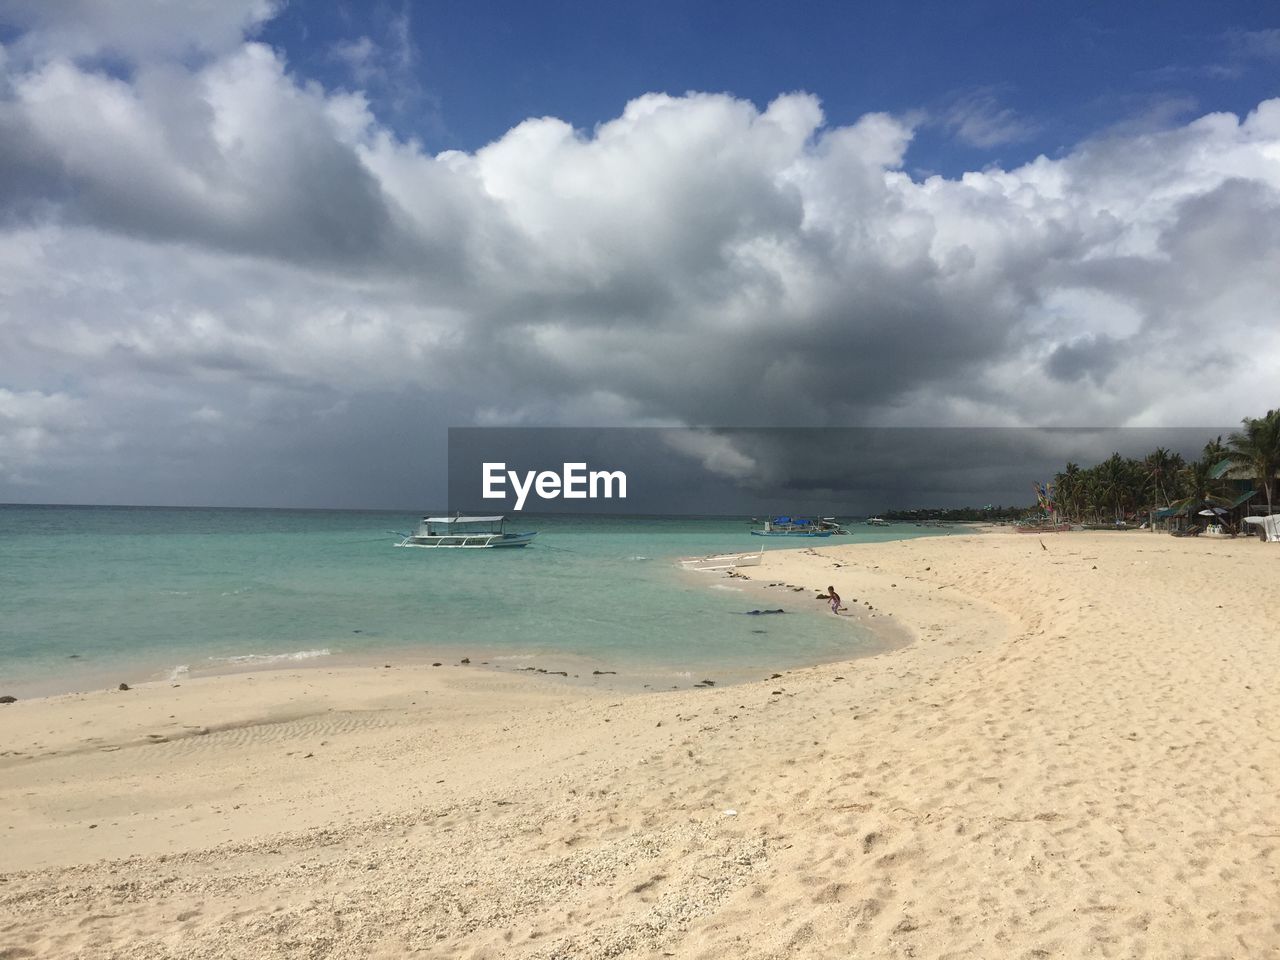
x,y
97,593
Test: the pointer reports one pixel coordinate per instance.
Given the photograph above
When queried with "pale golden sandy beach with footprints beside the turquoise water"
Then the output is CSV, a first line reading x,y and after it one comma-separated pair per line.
x,y
1080,756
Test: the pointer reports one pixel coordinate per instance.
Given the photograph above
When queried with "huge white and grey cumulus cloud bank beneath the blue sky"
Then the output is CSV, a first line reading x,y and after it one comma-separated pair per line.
x,y
221,236
